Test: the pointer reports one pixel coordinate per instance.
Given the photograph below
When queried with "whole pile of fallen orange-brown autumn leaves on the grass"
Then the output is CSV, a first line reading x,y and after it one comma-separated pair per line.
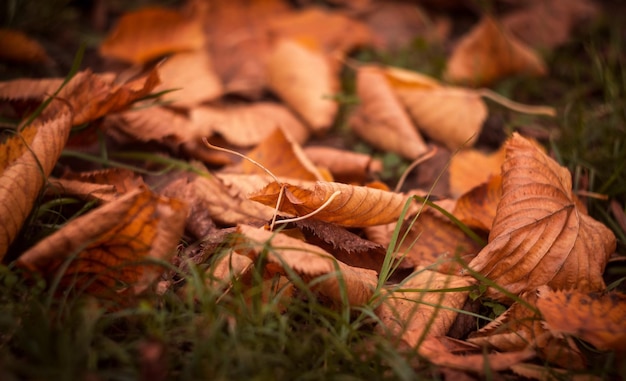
x,y
232,105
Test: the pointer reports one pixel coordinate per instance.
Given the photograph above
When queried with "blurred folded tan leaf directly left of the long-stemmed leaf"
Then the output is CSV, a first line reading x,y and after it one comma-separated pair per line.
x,y
380,118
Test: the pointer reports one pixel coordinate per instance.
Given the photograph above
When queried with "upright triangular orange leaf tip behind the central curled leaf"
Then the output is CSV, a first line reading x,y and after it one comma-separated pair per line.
x,y
281,157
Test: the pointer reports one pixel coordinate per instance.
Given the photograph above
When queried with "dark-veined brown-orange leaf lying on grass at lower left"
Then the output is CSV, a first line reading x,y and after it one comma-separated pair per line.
x,y
112,245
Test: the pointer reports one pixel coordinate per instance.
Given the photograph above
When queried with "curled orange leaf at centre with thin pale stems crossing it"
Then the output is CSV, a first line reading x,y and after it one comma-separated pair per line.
x,y
354,206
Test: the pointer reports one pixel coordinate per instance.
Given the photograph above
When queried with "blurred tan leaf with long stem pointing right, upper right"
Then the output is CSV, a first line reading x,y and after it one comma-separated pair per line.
x,y
450,115
